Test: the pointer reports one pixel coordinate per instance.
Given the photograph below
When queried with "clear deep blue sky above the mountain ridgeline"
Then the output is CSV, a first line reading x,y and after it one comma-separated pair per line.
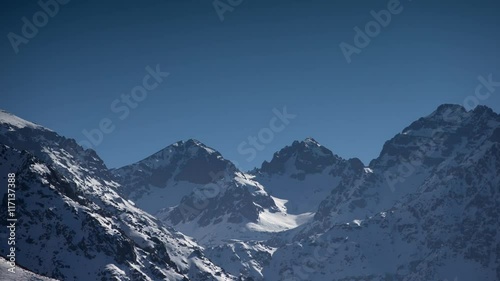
x,y
227,76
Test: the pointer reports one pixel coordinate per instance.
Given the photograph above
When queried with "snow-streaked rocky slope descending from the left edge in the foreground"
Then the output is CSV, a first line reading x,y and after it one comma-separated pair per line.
x,y
74,226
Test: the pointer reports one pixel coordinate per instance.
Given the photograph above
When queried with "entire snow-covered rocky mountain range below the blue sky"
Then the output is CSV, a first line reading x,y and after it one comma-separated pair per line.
x,y
428,208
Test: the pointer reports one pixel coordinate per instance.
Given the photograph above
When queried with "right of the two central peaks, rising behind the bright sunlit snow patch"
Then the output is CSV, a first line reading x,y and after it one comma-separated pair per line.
x,y
303,174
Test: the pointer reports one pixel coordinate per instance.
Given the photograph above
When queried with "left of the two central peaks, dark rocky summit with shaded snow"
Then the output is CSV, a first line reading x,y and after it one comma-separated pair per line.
x,y
172,173
